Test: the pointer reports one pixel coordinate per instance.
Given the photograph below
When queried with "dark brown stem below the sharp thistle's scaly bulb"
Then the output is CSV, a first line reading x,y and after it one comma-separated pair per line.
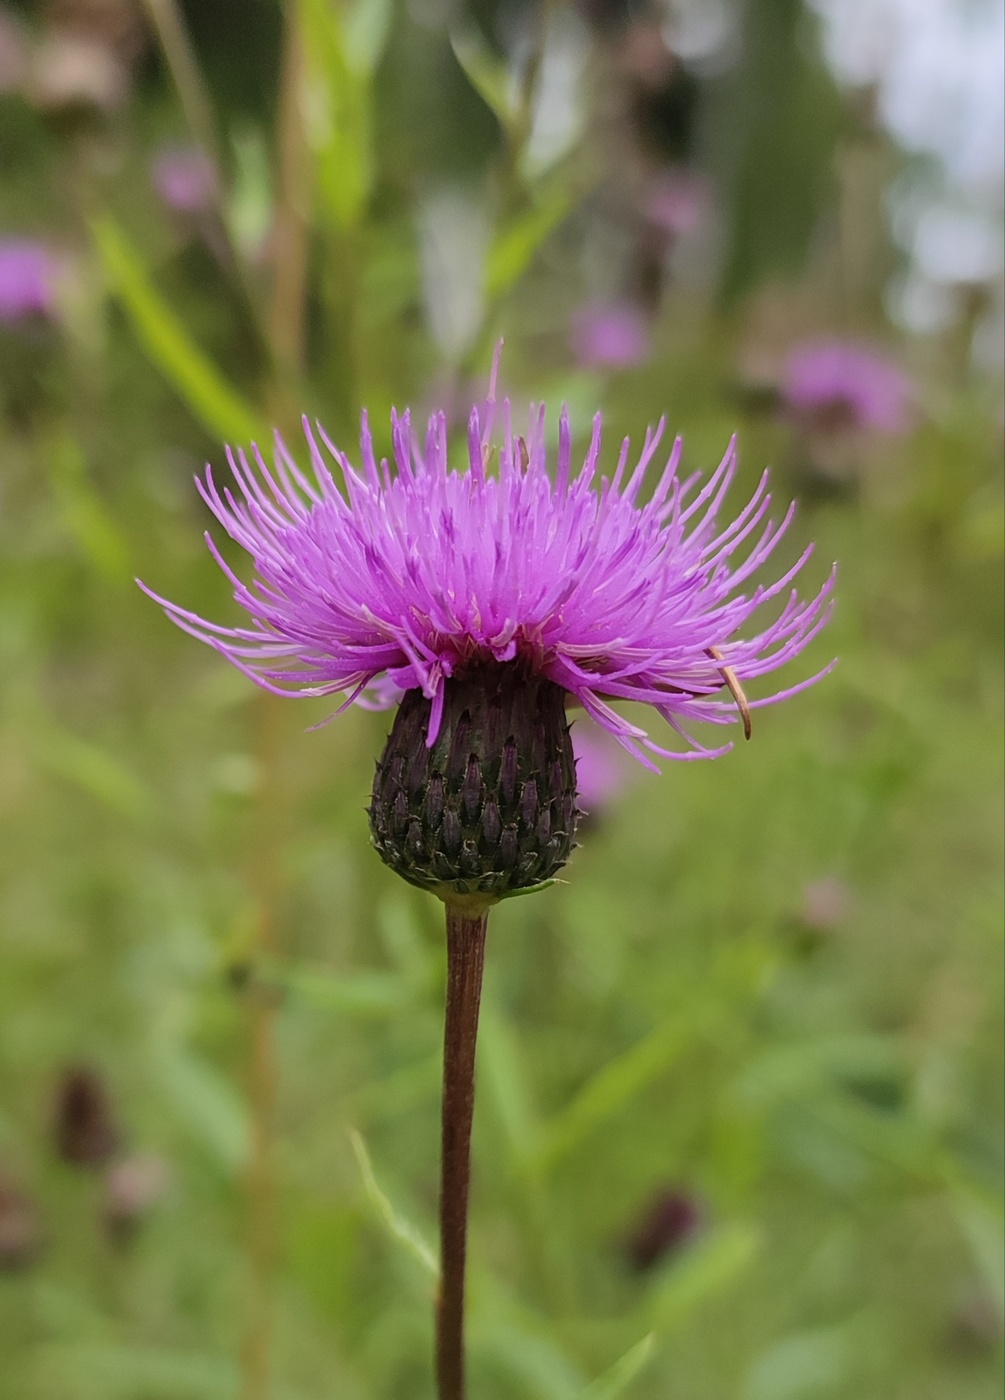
x,y
465,962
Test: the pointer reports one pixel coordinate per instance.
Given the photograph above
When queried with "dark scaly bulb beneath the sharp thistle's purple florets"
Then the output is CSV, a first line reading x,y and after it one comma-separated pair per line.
x,y
489,808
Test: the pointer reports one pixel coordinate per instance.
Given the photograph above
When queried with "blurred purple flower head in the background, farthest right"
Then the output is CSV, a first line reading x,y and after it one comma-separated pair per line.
x,y
839,384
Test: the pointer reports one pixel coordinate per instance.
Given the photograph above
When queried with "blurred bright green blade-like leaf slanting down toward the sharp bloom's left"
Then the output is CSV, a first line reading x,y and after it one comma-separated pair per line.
x,y
205,391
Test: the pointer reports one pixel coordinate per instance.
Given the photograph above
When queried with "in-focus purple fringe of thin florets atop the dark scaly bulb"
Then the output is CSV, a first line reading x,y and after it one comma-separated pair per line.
x,y
383,583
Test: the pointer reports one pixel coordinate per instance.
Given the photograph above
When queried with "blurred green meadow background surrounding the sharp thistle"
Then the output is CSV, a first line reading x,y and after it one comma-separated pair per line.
x,y
738,1132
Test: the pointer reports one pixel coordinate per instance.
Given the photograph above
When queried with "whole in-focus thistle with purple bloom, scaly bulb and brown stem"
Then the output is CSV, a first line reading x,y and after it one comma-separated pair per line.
x,y
484,605
